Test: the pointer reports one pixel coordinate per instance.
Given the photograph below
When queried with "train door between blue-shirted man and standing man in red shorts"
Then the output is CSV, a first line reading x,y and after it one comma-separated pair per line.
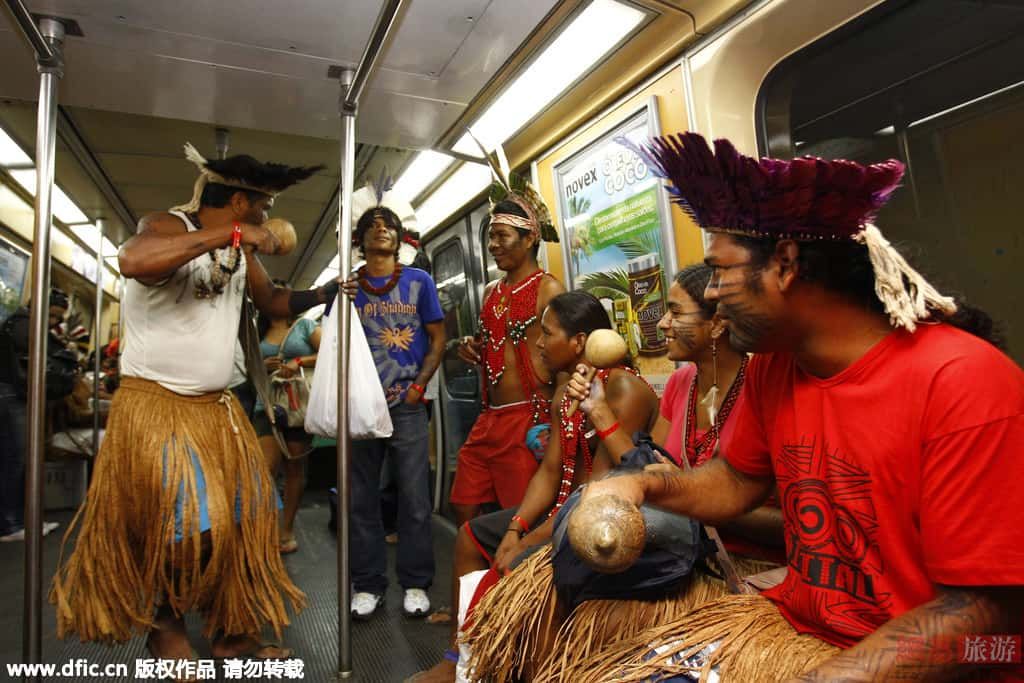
x,y
454,262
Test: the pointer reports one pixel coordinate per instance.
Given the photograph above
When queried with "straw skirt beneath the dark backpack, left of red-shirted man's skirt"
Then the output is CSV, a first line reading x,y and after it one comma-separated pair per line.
x,y
519,632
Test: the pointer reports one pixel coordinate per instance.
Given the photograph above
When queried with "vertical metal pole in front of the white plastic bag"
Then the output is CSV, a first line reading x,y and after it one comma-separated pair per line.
x,y
345,327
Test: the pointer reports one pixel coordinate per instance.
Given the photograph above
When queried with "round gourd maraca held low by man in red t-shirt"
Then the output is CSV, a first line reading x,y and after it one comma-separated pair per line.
x,y
608,534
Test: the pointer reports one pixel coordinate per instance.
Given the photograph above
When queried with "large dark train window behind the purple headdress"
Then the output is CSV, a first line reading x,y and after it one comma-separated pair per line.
x,y
938,84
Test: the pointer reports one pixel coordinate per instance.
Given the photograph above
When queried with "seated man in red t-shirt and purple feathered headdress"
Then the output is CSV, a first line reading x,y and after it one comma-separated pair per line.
x,y
888,421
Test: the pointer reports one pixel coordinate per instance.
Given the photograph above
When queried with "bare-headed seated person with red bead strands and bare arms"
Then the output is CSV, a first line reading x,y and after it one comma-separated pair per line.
x,y
503,537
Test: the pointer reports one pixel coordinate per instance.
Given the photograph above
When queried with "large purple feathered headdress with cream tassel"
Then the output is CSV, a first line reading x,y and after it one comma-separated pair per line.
x,y
804,199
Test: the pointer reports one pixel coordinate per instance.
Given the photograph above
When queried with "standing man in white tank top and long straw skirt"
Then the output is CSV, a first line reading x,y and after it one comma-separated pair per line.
x,y
182,513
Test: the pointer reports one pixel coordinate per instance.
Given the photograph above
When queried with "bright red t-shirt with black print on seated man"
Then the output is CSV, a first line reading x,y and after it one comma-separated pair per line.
x,y
900,474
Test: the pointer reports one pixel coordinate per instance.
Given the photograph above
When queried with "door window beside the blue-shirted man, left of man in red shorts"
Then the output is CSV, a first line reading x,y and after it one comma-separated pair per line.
x,y
453,289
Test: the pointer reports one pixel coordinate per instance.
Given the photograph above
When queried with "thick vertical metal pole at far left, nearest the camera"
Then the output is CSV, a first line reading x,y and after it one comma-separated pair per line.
x,y
47,135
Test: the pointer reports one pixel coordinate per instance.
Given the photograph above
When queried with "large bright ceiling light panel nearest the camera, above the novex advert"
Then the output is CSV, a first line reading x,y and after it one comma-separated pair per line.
x,y
584,42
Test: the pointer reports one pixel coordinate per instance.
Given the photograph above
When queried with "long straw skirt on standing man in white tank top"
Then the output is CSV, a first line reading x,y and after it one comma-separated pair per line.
x,y
126,561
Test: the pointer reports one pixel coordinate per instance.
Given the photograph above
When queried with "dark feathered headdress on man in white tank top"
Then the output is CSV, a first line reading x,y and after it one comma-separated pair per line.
x,y
242,173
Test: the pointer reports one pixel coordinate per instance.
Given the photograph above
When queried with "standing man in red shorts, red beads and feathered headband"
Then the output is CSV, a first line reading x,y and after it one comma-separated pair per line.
x,y
495,463
